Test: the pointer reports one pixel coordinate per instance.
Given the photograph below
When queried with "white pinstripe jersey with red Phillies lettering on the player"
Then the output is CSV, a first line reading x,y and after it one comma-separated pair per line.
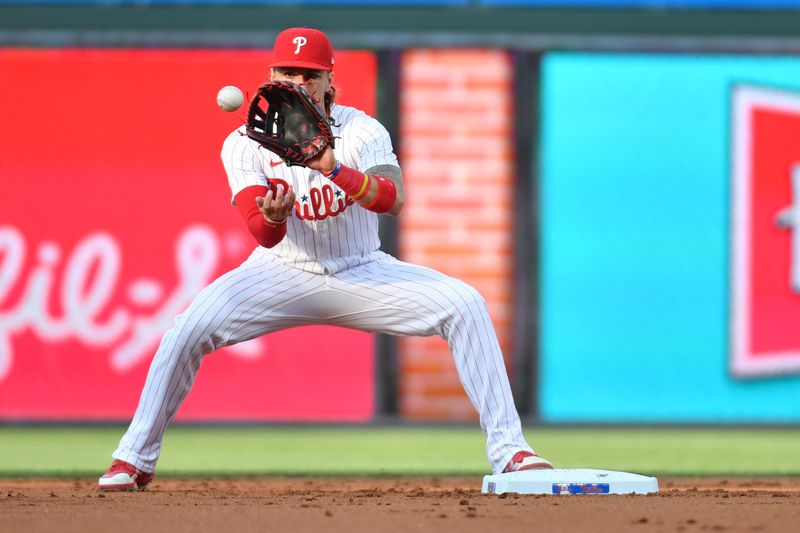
x,y
327,231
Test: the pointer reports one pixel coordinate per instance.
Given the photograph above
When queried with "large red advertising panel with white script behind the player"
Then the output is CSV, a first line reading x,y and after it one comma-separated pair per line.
x,y
115,211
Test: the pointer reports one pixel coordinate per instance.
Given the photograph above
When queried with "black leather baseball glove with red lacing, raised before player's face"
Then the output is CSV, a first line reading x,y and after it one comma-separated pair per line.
x,y
285,120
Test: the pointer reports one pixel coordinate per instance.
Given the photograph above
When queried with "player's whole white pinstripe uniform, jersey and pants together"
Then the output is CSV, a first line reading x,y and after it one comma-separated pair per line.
x,y
327,270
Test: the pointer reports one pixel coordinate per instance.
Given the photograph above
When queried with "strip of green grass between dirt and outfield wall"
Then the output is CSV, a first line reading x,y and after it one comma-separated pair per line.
x,y
242,451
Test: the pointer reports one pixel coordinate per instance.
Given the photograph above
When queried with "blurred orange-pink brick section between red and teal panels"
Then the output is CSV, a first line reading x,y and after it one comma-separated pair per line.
x,y
457,158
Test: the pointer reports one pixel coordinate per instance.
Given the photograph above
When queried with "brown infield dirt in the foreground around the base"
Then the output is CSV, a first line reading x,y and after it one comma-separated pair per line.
x,y
392,504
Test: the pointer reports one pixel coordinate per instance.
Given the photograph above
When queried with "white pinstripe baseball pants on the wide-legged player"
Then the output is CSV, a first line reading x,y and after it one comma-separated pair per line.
x,y
384,295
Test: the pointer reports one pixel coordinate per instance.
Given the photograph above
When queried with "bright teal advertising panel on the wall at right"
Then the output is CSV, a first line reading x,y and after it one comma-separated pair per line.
x,y
637,225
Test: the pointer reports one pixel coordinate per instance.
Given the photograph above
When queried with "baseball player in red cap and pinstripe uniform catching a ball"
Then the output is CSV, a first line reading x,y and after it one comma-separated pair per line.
x,y
318,263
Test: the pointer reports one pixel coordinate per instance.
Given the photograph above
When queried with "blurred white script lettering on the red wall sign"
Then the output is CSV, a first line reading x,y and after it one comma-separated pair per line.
x,y
88,288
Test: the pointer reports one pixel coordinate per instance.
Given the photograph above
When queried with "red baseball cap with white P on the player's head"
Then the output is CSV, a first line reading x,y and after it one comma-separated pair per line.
x,y
304,48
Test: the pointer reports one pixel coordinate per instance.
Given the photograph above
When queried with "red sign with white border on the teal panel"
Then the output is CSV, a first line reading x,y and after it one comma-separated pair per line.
x,y
765,312
